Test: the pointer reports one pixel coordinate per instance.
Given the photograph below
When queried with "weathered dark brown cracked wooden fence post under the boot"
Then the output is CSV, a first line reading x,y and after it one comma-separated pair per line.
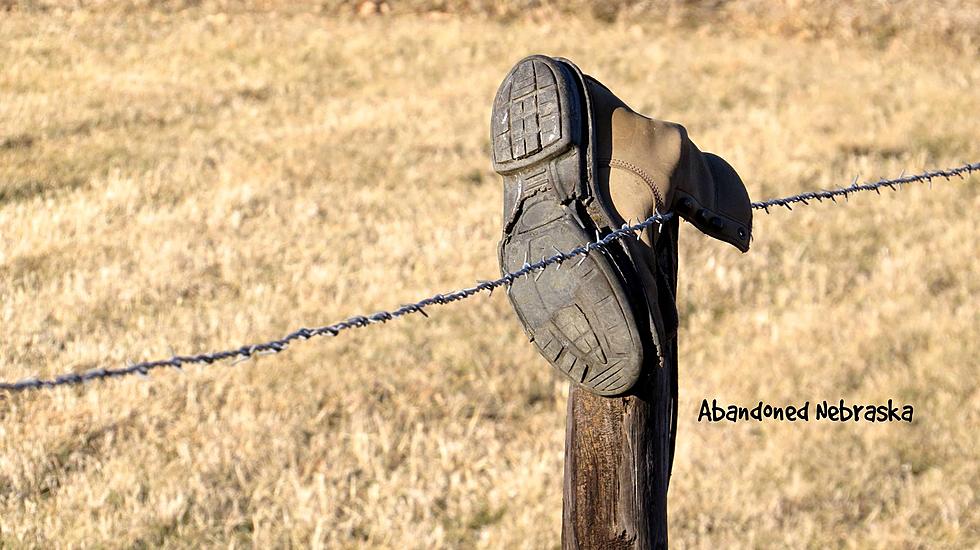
x,y
618,451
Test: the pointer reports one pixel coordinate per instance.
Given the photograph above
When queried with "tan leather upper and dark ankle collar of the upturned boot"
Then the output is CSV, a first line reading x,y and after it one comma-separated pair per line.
x,y
654,167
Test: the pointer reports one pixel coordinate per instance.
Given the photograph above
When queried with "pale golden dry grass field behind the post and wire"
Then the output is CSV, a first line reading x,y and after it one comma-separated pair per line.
x,y
192,180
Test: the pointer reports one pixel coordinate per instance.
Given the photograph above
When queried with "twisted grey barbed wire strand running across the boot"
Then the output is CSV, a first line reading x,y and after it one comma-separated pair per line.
x,y
277,346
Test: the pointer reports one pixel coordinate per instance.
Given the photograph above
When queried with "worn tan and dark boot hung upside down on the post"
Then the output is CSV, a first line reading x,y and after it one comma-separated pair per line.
x,y
578,163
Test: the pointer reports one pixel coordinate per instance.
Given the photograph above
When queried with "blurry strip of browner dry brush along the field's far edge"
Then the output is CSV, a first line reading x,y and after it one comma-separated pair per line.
x,y
929,24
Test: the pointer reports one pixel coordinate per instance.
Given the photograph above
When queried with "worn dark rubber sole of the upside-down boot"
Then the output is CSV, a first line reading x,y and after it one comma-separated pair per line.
x,y
578,315
